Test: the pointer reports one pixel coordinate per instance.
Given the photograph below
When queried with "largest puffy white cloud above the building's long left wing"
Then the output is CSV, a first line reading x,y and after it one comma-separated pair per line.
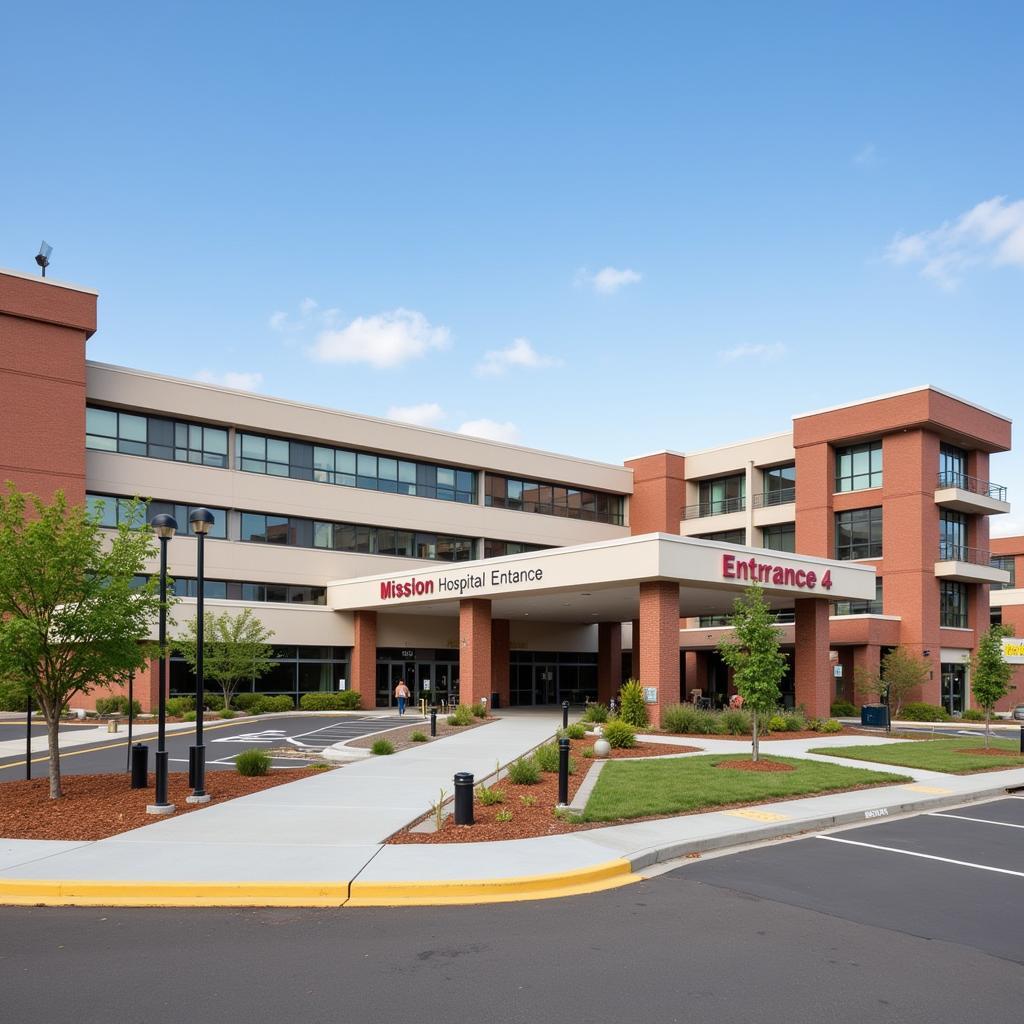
x,y
385,340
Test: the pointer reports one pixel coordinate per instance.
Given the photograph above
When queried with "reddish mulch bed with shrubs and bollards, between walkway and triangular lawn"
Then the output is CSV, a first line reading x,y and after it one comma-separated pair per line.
x,y
539,819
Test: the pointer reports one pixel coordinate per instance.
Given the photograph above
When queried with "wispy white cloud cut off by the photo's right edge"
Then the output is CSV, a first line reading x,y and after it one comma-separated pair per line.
x,y
991,234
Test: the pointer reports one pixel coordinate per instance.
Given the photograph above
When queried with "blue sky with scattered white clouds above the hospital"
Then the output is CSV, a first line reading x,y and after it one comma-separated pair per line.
x,y
601,229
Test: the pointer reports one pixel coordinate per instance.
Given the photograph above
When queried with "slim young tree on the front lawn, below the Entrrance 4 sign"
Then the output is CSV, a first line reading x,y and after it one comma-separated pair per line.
x,y
753,654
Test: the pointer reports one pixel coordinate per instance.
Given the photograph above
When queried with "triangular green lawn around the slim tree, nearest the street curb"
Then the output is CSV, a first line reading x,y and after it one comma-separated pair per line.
x,y
637,789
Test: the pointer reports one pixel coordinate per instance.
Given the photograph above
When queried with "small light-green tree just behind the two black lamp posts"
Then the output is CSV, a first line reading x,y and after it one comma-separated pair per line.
x,y
235,648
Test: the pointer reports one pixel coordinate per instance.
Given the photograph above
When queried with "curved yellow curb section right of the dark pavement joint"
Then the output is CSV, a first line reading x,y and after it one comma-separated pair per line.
x,y
609,875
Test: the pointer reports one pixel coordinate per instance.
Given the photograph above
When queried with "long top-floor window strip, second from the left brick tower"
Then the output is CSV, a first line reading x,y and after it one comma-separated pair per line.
x,y
348,468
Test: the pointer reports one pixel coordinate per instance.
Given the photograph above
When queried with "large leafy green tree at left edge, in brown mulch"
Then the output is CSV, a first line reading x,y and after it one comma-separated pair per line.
x,y
72,616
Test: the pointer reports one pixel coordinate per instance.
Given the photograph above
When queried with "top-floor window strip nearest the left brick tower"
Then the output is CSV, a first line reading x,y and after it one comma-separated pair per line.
x,y
155,437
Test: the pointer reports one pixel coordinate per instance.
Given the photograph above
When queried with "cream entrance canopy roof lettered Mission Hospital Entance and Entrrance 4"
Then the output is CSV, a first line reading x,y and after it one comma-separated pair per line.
x,y
602,582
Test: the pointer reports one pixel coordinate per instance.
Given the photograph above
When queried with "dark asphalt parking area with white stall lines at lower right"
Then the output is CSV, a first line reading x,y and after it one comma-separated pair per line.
x,y
955,876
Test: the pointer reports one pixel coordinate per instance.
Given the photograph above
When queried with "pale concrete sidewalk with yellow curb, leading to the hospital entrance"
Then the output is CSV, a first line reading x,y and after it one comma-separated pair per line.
x,y
319,842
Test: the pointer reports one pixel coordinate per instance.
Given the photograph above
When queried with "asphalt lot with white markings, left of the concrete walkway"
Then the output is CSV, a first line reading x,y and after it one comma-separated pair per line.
x,y
224,741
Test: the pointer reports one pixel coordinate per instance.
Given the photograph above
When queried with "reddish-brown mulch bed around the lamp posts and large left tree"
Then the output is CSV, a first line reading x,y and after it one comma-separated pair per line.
x,y
100,806
